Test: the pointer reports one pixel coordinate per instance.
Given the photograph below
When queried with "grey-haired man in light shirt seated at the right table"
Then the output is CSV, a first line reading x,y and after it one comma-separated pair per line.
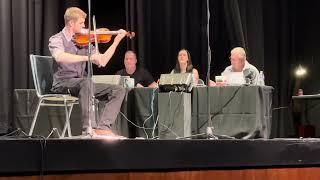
x,y
239,63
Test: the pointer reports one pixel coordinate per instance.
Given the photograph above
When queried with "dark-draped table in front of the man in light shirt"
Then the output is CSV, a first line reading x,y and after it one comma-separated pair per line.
x,y
238,111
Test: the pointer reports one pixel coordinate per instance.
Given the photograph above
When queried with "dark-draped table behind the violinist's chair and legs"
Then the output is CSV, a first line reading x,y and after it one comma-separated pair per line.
x,y
136,109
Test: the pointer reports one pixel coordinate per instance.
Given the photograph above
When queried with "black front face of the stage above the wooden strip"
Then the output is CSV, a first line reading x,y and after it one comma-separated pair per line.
x,y
31,156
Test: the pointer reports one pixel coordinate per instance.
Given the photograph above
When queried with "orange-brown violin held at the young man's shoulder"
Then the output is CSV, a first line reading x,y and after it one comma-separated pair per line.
x,y
103,35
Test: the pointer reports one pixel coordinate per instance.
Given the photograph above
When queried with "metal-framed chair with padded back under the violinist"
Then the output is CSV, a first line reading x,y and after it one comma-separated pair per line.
x,y
42,73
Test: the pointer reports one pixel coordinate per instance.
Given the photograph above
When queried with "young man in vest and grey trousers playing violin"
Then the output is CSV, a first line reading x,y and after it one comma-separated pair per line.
x,y
70,75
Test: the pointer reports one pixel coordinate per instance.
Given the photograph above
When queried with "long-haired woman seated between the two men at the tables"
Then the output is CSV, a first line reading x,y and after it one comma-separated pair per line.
x,y
184,65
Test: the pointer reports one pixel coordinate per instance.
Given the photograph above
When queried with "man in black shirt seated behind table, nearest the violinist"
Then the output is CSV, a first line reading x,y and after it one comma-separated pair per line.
x,y
142,78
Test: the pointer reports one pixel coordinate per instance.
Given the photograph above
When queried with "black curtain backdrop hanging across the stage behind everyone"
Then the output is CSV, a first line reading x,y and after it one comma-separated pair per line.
x,y
272,31
